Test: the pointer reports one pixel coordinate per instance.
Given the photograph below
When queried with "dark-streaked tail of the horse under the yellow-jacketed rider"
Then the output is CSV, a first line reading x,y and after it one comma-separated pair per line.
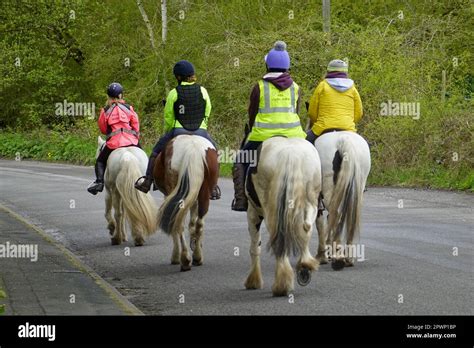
x,y
345,205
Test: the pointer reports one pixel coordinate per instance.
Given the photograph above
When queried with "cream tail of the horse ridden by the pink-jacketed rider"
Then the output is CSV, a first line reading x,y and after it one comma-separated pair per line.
x,y
140,208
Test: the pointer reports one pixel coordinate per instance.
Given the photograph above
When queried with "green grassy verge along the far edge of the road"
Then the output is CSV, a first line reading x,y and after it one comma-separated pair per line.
x,y
49,145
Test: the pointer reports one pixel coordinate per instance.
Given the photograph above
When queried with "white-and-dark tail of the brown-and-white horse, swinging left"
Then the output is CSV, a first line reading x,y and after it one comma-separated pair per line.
x,y
190,177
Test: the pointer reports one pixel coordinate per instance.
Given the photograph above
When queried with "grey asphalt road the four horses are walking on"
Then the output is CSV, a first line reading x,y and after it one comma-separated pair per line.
x,y
410,252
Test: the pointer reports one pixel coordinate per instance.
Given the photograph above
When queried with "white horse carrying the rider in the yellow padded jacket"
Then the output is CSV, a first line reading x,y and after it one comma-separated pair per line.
x,y
345,165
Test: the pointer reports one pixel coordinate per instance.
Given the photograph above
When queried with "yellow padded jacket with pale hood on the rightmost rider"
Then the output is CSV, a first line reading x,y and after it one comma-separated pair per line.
x,y
335,104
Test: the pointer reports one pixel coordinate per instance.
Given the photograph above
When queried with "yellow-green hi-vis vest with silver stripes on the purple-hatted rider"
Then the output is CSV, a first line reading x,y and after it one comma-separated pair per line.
x,y
277,113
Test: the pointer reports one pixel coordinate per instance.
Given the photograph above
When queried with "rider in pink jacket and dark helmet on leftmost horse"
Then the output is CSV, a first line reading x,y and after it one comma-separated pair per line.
x,y
119,122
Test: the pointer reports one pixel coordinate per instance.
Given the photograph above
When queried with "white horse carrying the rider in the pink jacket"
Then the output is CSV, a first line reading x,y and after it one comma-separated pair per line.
x,y
124,166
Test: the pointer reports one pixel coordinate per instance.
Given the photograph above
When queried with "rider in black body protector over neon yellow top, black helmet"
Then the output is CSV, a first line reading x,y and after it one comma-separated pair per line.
x,y
187,111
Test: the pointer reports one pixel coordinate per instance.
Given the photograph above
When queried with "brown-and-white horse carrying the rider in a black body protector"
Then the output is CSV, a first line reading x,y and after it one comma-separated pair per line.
x,y
185,172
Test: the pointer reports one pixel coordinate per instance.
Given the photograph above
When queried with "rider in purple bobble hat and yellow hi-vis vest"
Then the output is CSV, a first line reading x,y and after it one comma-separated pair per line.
x,y
273,111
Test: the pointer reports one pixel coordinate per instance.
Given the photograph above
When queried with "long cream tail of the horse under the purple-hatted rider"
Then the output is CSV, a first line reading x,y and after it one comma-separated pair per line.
x,y
287,207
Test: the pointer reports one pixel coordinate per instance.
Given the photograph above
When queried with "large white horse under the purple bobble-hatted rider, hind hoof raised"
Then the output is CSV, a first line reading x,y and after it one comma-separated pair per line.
x,y
287,183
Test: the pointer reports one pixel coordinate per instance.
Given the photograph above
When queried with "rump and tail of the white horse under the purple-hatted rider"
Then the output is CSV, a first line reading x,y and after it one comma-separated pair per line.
x,y
286,189
